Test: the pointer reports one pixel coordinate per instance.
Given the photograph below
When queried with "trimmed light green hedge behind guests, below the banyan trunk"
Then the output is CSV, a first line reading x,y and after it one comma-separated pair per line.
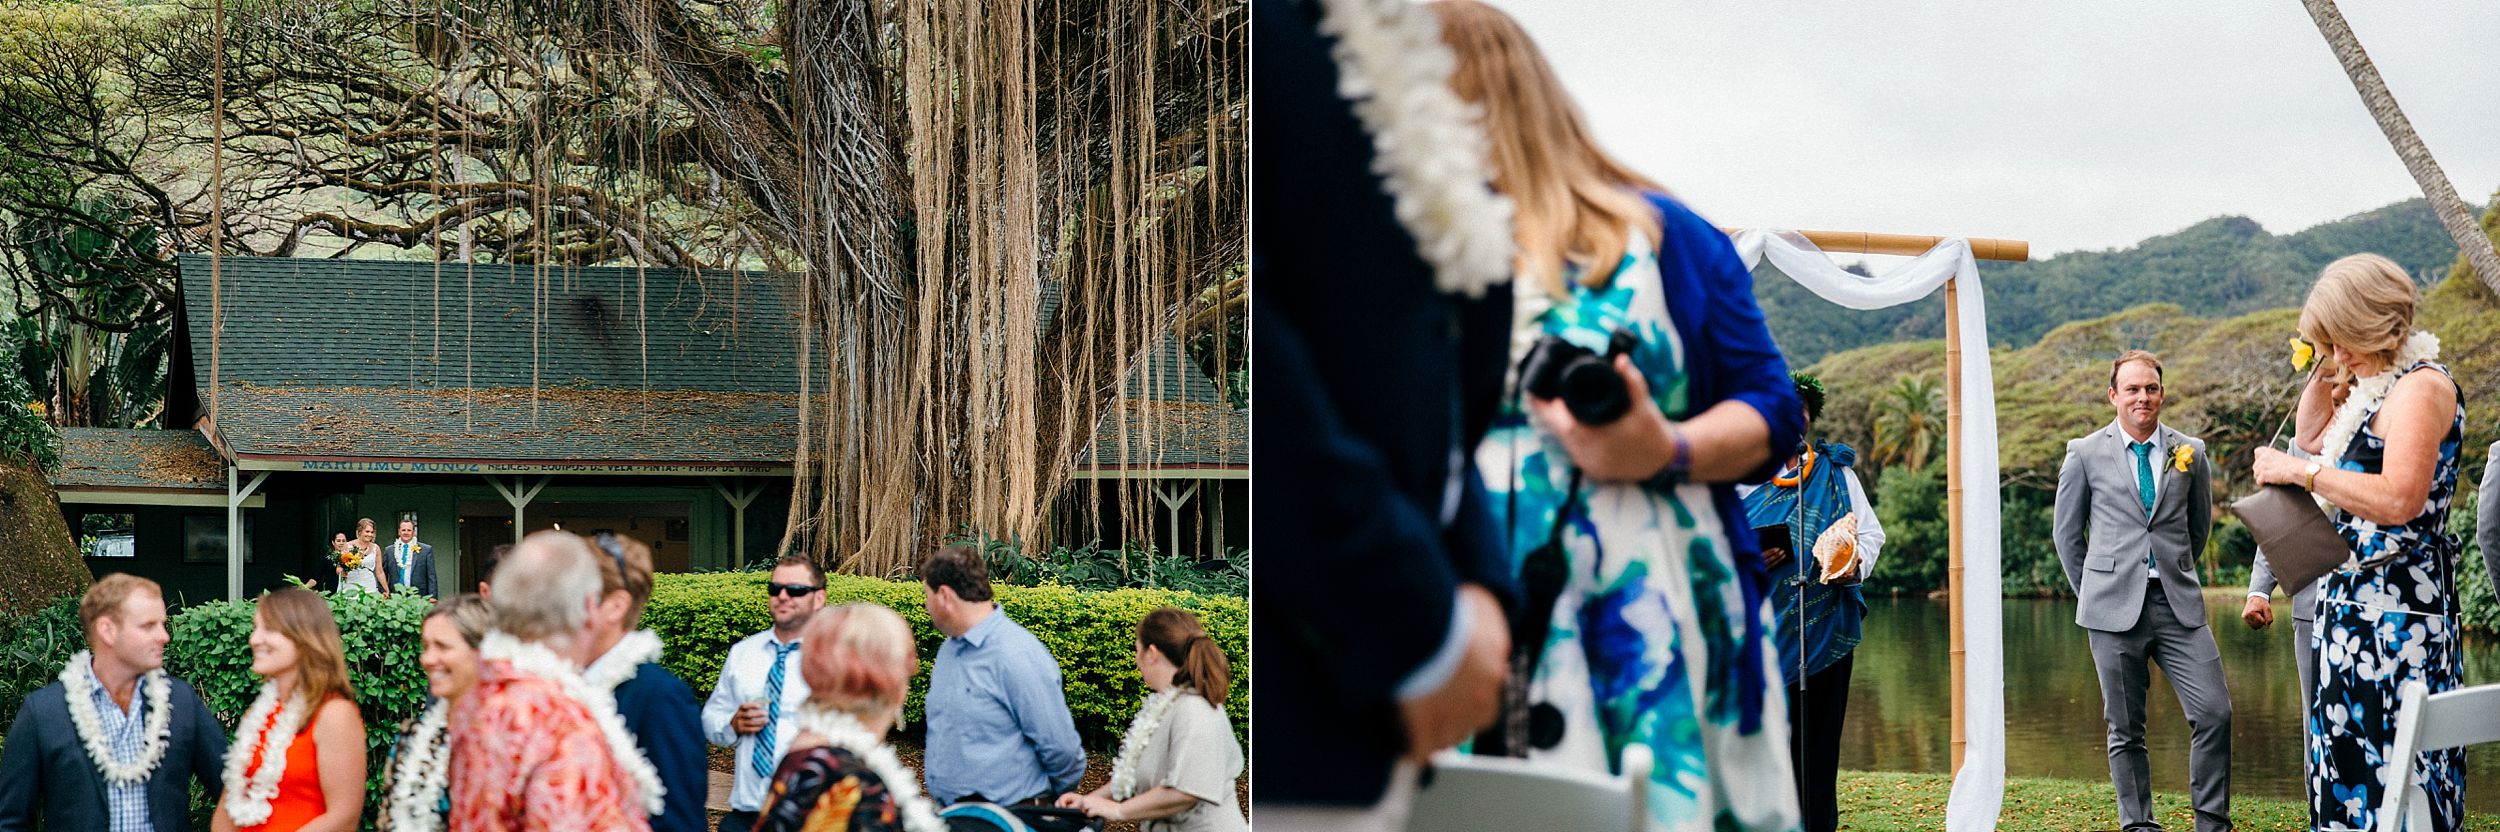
x,y
1091,633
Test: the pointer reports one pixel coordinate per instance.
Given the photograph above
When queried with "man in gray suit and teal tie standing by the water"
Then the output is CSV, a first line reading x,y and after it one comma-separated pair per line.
x,y
2134,508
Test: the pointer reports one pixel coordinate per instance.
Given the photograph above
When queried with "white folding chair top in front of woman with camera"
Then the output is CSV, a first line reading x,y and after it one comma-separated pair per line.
x,y
1506,793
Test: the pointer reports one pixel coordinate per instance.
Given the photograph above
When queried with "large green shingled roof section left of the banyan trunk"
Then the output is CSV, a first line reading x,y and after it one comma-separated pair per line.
x,y
411,361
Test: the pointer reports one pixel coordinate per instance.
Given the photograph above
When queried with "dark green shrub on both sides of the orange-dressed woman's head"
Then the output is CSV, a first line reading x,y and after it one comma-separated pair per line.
x,y
381,636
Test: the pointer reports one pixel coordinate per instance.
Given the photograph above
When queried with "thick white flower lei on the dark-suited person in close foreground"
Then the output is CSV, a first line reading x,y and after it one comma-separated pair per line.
x,y
1426,141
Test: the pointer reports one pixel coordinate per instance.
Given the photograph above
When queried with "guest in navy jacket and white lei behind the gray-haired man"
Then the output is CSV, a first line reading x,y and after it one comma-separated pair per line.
x,y
656,706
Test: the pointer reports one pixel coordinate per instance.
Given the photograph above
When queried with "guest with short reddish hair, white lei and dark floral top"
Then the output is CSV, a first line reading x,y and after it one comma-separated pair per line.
x,y
839,773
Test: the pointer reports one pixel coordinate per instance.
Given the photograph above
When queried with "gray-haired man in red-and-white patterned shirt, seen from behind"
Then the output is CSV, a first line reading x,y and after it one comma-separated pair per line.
x,y
534,743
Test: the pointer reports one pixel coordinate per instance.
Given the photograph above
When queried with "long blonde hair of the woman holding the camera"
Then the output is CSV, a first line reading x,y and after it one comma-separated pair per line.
x,y
1574,201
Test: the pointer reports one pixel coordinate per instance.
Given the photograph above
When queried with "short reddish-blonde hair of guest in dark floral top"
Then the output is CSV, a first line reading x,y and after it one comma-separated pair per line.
x,y
859,658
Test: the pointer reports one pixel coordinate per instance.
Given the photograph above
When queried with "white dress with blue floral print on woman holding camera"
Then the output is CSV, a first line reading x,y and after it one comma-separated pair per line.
x,y
1649,633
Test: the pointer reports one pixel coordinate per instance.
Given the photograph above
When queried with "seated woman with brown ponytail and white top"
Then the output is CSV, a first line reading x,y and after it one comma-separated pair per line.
x,y
1179,761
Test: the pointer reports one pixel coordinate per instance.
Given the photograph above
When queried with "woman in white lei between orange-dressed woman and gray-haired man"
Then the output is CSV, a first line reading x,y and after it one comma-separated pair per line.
x,y
419,778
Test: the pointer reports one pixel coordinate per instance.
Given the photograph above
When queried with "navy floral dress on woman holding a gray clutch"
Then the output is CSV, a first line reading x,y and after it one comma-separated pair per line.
x,y
2381,628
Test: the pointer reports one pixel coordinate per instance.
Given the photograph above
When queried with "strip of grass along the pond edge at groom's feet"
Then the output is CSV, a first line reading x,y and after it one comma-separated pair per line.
x,y
1894,801
